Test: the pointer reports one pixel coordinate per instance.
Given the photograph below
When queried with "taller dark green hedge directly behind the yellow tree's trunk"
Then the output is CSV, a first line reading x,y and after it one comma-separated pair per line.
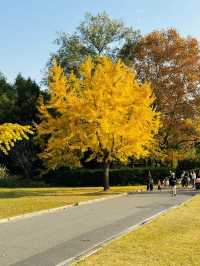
x,y
93,177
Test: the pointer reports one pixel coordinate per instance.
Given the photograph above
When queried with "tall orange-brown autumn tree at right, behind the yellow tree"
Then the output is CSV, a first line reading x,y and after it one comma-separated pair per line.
x,y
172,64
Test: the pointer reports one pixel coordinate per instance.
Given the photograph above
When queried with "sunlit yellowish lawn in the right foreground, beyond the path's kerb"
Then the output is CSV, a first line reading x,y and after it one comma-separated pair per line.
x,y
171,239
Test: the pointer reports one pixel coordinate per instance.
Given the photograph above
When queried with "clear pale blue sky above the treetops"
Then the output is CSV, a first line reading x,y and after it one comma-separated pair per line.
x,y
28,27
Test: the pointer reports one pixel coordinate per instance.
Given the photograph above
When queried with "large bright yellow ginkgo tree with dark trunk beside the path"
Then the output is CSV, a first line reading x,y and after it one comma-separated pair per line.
x,y
104,109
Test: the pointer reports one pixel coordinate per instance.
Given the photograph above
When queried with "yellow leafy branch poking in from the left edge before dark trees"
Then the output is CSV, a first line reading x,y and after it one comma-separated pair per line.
x,y
10,134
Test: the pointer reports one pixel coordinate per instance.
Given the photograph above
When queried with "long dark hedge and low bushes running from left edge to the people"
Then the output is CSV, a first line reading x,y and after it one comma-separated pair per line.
x,y
89,177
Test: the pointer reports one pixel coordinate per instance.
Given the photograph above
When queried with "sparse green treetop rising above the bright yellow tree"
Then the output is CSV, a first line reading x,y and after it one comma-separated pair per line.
x,y
96,35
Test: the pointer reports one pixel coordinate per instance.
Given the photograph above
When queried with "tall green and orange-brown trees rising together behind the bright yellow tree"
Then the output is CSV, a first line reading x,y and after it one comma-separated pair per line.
x,y
170,62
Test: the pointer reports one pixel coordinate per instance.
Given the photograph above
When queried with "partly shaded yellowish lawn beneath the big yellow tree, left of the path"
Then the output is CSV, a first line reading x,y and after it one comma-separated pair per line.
x,y
17,201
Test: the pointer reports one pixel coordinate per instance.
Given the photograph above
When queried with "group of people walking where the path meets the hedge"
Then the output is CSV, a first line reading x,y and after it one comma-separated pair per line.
x,y
186,179
